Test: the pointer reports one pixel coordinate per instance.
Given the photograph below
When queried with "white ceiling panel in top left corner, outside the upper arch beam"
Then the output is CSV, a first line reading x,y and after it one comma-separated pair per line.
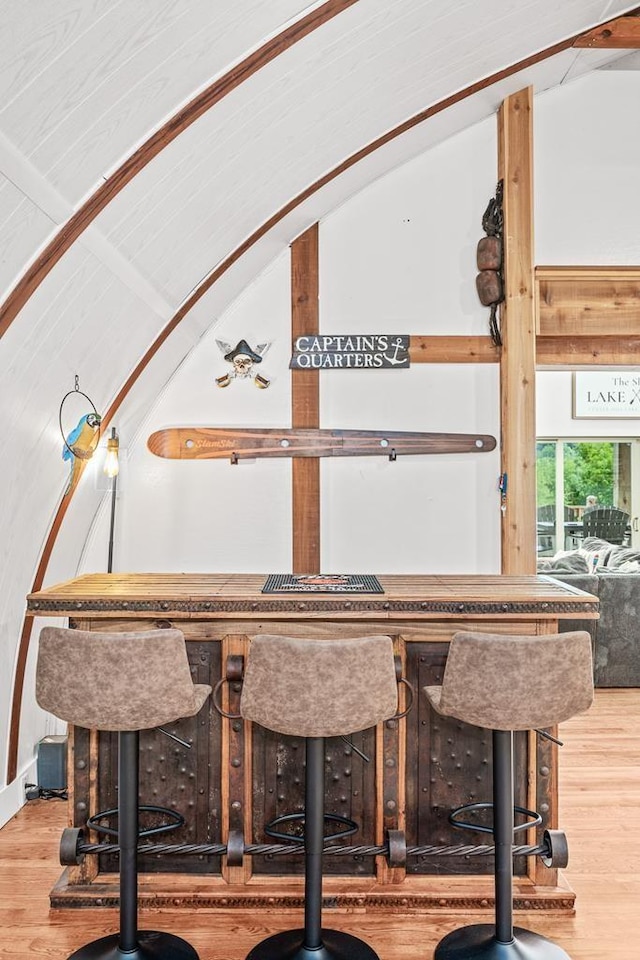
x,y
86,101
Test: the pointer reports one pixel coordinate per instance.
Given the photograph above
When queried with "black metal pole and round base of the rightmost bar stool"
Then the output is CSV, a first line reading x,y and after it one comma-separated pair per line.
x,y
501,941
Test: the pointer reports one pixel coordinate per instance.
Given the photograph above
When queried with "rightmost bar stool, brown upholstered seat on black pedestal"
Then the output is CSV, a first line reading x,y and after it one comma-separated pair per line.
x,y
507,683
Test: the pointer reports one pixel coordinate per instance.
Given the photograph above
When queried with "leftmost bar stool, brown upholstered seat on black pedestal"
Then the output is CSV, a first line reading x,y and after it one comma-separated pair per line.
x,y
124,682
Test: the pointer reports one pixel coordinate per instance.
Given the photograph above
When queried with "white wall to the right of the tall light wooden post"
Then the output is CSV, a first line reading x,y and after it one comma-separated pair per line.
x,y
587,211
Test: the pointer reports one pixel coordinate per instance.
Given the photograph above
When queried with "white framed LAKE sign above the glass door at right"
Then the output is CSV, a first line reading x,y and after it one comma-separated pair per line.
x,y
606,394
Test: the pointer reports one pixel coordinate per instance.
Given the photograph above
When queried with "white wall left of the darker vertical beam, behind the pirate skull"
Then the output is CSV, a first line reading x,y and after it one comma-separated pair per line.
x,y
209,515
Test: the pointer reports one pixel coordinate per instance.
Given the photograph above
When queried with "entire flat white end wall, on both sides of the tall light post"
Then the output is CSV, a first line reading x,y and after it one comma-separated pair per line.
x,y
399,257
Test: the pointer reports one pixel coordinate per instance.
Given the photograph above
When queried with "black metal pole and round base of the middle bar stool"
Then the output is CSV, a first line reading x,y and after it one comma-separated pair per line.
x,y
313,942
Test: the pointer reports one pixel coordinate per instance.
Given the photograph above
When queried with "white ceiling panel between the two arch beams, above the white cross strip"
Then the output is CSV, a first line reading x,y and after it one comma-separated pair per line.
x,y
338,89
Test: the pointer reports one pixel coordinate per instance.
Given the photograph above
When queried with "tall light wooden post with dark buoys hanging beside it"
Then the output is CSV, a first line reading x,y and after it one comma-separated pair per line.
x,y
517,363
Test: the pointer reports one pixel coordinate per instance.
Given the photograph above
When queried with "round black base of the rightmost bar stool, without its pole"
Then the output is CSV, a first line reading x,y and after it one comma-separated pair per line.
x,y
478,942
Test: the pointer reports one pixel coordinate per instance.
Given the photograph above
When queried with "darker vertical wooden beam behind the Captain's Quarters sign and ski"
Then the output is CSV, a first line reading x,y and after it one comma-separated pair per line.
x,y
305,405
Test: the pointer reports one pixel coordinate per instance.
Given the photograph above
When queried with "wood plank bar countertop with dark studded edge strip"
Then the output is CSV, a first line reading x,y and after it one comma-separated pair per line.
x,y
219,595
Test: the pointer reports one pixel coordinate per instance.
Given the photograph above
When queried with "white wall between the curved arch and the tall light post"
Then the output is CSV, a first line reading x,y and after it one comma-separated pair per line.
x,y
399,258
